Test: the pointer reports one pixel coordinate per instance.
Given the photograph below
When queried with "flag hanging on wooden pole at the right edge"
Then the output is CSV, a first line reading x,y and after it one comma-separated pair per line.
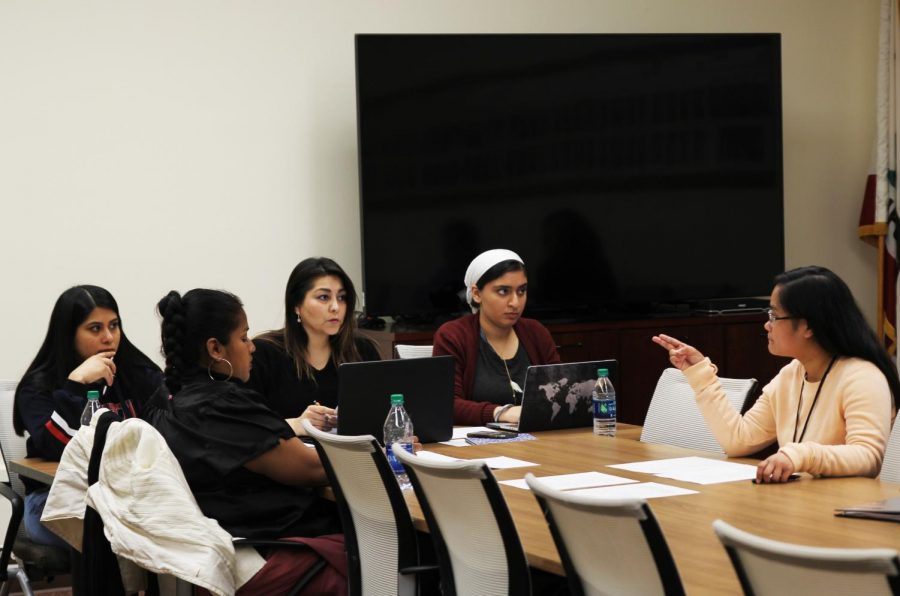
x,y
878,219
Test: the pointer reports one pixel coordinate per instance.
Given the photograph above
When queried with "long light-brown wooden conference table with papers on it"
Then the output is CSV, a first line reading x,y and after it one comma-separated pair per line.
x,y
801,511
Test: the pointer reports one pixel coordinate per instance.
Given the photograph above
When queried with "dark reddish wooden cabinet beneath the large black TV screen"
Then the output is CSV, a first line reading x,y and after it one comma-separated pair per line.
x,y
735,343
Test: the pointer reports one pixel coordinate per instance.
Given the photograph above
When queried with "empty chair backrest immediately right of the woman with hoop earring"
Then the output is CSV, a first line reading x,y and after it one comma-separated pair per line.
x,y
378,530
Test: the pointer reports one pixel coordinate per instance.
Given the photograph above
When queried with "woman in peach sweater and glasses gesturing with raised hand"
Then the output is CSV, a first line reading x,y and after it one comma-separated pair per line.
x,y
830,409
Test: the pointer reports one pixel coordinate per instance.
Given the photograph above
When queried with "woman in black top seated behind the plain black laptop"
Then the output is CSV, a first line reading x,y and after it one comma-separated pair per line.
x,y
295,368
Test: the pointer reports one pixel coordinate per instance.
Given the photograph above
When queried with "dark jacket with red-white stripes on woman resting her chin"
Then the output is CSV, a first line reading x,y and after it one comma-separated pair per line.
x,y
52,416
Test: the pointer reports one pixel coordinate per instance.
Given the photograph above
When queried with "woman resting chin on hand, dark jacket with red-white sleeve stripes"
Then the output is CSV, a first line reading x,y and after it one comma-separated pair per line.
x,y
85,349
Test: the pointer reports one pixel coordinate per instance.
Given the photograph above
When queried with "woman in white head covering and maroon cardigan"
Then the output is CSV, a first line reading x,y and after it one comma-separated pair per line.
x,y
493,346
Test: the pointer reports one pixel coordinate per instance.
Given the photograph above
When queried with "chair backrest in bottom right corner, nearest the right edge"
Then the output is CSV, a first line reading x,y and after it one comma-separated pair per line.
x,y
768,566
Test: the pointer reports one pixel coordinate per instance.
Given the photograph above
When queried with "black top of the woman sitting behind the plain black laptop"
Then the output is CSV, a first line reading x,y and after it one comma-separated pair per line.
x,y
274,377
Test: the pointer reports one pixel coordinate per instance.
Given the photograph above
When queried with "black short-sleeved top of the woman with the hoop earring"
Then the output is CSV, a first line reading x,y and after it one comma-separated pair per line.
x,y
214,428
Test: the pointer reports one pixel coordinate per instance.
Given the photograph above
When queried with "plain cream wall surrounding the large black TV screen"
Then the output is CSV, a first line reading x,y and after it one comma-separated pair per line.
x,y
146,146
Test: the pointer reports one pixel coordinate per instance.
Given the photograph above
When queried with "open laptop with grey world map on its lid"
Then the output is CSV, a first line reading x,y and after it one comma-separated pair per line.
x,y
559,395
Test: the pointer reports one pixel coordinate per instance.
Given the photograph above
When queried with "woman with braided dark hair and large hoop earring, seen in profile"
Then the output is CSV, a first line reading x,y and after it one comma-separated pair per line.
x,y
246,468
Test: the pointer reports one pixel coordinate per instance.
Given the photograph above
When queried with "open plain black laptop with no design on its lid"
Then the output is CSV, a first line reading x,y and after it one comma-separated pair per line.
x,y
365,388
